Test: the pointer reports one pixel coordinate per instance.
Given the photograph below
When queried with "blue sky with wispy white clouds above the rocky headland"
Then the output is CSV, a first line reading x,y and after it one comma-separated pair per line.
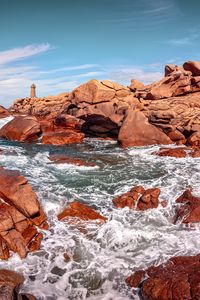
x,y
59,44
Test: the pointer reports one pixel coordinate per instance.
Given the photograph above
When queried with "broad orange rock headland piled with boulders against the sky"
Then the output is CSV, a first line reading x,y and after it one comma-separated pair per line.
x,y
108,109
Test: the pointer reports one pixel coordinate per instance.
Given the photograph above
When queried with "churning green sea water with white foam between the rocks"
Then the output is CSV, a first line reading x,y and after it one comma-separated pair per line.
x,y
102,258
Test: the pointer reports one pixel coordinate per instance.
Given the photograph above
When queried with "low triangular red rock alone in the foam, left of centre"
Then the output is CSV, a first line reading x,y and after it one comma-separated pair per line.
x,y
81,211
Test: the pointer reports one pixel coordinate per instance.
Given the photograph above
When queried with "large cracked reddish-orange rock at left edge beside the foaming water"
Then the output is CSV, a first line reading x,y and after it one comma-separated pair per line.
x,y
20,215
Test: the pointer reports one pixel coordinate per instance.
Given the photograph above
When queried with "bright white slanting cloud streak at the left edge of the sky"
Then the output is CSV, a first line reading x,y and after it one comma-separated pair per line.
x,y
17,54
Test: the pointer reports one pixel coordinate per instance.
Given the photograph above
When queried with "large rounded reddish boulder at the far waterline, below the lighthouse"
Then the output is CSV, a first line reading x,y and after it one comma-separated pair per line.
x,y
21,129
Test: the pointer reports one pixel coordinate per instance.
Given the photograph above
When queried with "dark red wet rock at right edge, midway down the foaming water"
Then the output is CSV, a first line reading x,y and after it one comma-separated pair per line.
x,y
189,211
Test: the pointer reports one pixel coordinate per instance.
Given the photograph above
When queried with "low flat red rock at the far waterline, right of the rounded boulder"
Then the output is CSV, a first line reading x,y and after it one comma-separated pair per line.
x,y
64,137
